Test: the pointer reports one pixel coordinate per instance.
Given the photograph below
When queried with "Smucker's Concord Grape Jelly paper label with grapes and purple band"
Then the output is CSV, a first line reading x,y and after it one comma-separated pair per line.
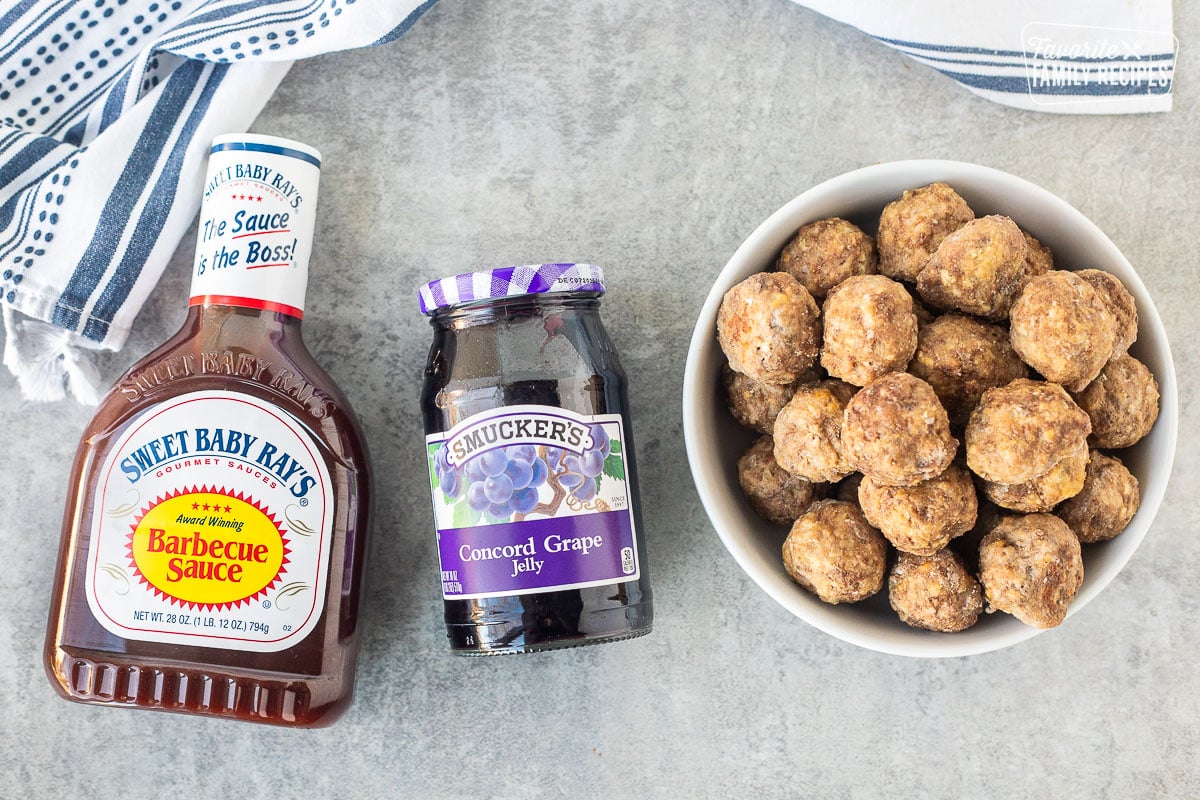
x,y
532,498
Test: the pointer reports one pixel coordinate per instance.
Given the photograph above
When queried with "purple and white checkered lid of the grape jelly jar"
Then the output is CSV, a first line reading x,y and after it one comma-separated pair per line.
x,y
509,282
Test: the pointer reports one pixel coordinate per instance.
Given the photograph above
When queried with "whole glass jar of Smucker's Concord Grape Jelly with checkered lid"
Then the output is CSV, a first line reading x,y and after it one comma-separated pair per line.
x,y
532,464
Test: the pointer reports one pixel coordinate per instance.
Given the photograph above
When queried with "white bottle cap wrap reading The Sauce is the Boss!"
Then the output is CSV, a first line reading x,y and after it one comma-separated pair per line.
x,y
257,220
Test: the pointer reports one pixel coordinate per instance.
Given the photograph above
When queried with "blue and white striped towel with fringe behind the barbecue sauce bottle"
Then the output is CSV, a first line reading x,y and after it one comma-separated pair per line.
x,y
107,109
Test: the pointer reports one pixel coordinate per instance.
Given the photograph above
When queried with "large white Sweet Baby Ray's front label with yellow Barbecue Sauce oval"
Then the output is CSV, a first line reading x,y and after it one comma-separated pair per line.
x,y
213,527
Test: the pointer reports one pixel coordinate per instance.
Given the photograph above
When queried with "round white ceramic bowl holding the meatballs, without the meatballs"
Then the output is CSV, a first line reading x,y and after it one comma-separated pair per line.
x,y
715,441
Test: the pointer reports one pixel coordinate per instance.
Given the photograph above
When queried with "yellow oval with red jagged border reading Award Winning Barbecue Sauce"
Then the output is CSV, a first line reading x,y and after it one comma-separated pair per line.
x,y
208,548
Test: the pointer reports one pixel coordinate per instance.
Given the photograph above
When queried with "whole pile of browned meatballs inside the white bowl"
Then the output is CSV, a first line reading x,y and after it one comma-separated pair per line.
x,y
943,411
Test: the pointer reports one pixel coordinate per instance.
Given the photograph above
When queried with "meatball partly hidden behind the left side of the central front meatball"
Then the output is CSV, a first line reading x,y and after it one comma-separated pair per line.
x,y
808,432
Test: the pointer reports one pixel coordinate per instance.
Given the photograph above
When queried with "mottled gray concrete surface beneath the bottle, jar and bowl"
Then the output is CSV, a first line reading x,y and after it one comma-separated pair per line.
x,y
650,139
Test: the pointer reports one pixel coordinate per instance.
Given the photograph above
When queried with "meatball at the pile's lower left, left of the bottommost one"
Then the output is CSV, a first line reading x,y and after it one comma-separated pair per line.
x,y
833,554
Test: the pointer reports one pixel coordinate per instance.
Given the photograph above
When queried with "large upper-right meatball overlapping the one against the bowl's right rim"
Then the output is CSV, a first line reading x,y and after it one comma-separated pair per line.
x,y
1063,328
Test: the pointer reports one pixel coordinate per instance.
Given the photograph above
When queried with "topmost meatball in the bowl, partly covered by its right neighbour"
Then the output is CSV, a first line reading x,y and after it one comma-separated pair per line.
x,y
914,226
